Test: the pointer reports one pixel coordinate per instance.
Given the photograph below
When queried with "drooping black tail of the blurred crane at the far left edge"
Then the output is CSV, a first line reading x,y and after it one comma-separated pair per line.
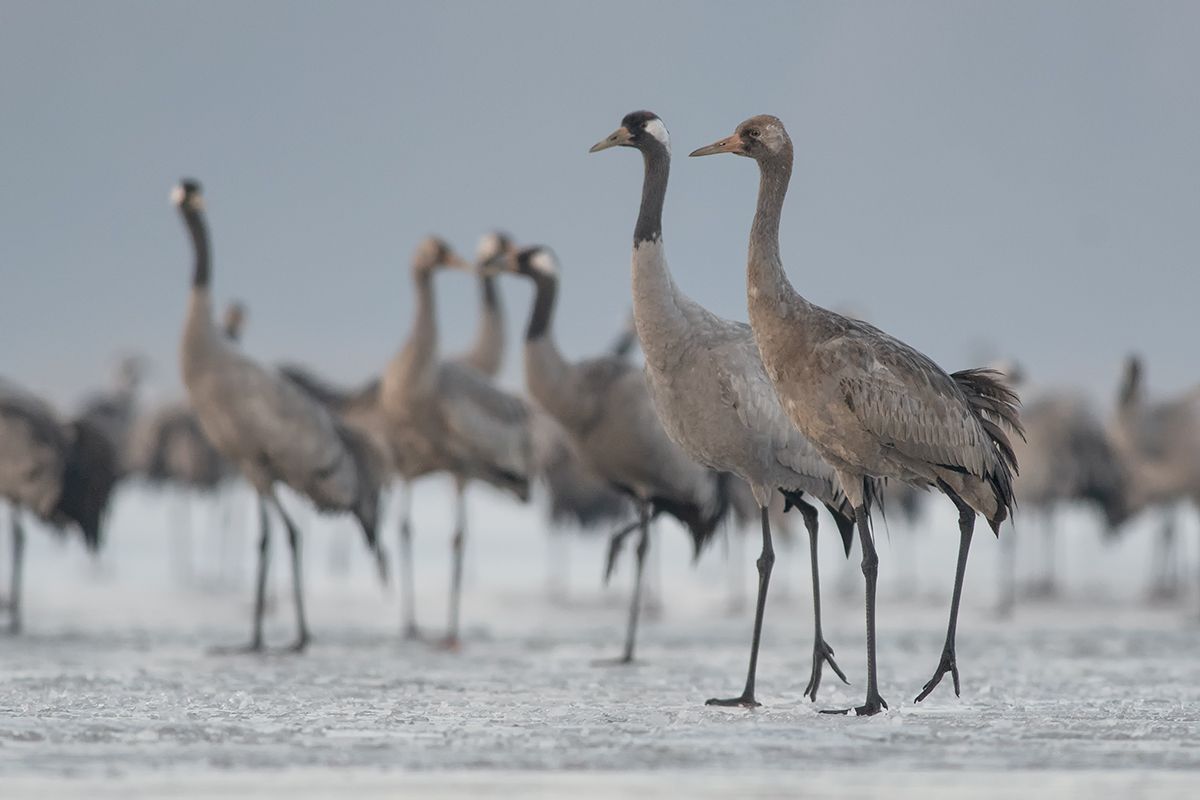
x,y
91,473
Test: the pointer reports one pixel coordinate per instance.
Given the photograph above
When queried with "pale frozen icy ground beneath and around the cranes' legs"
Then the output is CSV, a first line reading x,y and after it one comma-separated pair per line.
x,y
112,693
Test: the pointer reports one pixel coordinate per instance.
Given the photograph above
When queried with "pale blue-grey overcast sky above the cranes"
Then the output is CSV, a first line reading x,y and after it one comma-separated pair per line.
x,y
980,179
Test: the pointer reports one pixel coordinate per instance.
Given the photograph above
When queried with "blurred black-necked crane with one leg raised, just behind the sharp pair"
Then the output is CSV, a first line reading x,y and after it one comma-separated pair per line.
x,y
605,406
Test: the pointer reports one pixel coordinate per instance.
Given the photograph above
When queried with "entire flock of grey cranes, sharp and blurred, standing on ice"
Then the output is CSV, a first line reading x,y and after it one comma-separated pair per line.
x,y
800,405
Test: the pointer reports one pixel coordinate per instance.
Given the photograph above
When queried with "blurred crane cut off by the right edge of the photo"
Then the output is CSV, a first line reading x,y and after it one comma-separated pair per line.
x,y
1160,442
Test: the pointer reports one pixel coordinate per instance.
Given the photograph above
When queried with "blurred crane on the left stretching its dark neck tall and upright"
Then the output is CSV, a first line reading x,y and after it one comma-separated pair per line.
x,y
271,430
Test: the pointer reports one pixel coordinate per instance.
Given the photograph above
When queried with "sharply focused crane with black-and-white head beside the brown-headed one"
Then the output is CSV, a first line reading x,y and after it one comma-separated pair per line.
x,y
712,394
